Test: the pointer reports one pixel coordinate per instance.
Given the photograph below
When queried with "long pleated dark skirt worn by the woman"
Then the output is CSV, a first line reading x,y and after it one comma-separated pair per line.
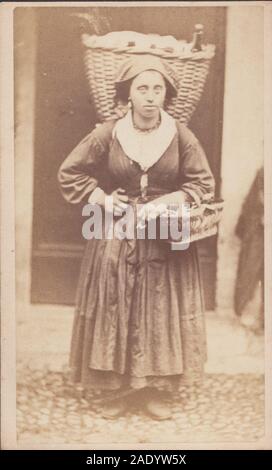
x,y
139,317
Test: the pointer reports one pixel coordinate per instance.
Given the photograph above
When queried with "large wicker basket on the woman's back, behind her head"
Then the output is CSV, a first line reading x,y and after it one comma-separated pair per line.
x,y
102,62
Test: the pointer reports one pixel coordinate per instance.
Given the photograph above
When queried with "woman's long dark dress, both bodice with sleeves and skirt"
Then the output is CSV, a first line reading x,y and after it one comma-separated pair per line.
x,y
139,316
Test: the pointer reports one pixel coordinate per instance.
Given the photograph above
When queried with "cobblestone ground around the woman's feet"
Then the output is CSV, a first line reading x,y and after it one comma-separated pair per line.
x,y
225,408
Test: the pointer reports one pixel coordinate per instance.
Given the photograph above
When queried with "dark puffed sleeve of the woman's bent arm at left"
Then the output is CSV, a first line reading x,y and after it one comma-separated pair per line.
x,y
78,175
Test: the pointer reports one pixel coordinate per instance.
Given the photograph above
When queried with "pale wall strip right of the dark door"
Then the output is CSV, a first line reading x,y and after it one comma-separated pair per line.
x,y
243,133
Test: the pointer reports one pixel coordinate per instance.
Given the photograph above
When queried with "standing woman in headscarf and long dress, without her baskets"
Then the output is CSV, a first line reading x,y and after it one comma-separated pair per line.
x,y
139,321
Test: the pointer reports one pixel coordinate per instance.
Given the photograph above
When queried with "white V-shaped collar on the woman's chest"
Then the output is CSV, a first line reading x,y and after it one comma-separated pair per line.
x,y
145,149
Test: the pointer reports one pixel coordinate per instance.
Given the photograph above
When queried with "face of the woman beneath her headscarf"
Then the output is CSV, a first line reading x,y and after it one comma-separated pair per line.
x,y
147,93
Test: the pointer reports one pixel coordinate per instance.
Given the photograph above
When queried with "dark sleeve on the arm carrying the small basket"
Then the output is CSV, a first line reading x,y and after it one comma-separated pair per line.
x,y
197,180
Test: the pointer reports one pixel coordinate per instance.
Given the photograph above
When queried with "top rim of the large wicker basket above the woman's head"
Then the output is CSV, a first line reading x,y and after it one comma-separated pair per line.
x,y
207,52
